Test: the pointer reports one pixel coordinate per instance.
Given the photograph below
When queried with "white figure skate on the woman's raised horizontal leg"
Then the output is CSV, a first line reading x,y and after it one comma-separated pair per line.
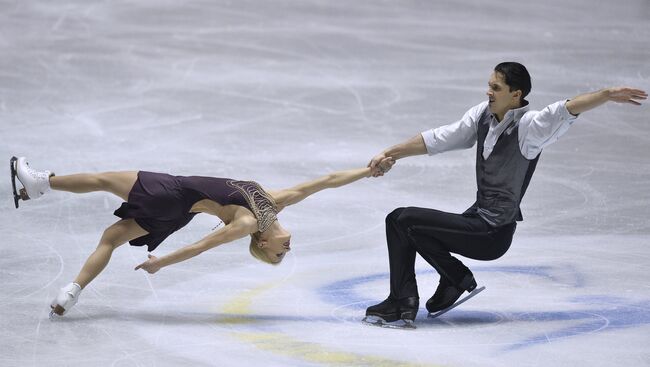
x,y
35,183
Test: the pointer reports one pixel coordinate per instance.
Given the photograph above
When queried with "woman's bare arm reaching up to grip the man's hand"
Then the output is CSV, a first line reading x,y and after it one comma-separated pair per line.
x,y
336,179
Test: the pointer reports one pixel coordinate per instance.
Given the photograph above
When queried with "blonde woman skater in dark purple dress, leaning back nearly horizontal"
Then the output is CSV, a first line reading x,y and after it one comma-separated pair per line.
x,y
158,204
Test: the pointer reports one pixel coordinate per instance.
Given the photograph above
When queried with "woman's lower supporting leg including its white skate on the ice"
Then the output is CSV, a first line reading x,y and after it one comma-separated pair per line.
x,y
113,237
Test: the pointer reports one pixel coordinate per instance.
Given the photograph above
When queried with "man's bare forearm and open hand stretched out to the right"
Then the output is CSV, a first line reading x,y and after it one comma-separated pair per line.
x,y
588,101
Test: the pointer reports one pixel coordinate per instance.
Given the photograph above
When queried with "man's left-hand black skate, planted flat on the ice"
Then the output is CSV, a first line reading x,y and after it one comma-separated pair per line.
x,y
393,313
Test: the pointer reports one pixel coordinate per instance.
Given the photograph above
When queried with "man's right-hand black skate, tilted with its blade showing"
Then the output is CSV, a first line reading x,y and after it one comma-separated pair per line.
x,y
447,294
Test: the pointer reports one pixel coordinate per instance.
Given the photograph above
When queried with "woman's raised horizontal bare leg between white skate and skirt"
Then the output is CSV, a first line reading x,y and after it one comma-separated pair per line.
x,y
118,183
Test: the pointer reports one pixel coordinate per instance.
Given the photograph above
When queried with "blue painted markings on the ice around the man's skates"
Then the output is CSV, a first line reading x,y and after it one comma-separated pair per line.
x,y
599,313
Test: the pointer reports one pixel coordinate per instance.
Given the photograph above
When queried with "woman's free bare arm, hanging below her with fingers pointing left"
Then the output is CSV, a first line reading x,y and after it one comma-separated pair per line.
x,y
233,231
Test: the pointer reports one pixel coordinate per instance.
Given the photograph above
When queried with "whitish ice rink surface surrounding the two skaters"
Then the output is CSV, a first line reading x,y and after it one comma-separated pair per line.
x,y
282,92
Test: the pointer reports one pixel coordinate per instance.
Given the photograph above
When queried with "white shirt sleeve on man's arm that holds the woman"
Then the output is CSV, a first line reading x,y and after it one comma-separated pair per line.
x,y
458,135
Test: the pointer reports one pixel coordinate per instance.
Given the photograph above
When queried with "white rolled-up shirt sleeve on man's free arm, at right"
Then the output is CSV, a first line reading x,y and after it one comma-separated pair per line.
x,y
539,129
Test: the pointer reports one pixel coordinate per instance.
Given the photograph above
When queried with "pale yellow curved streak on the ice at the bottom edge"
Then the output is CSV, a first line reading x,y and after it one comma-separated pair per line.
x,y
314,353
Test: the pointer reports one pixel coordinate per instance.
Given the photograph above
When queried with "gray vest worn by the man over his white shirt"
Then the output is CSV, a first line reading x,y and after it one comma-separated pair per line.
x,y
501,179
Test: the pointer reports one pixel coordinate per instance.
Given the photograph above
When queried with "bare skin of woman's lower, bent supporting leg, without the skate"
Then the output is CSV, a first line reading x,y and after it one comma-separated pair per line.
x,y
113,237
